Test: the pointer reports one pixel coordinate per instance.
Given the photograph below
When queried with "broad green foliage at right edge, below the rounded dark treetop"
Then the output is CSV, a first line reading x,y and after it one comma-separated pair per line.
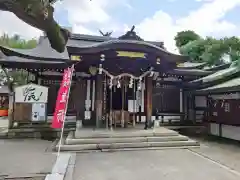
x,y
210,50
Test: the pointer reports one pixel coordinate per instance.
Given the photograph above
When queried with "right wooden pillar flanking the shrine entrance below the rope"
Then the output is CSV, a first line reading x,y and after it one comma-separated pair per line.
x,y
149,88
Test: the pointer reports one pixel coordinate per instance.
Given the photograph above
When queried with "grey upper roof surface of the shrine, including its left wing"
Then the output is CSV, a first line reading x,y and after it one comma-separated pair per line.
x,y
44,51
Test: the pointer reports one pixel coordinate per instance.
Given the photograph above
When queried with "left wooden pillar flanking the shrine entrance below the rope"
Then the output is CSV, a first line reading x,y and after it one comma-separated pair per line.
x,y
99,100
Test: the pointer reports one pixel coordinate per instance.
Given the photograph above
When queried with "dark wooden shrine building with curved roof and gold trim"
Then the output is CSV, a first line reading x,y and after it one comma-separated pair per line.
x,y
118,82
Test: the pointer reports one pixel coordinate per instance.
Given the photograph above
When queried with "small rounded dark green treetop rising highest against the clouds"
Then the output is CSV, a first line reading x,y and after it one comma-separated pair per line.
x,y
184,37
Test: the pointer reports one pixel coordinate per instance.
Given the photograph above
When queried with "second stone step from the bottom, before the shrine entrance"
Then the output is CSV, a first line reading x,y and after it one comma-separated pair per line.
x,y
125,140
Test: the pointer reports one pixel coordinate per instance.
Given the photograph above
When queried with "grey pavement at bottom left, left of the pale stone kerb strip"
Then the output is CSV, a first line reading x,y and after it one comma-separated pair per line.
x,y
24,157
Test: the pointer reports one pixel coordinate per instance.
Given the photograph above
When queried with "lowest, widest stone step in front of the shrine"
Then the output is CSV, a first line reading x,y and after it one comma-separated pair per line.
x,y
112,146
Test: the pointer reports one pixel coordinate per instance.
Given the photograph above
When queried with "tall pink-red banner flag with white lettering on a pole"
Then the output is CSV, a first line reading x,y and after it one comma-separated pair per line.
x,y
62,99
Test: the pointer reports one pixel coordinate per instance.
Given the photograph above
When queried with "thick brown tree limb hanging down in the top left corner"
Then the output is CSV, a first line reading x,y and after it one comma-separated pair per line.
x,y
39,14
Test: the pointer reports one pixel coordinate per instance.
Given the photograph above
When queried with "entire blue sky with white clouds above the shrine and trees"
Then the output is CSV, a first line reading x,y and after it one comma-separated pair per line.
x,y
157,20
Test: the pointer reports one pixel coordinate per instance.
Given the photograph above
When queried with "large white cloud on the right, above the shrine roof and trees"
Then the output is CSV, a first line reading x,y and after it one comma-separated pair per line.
x,y
207,20
